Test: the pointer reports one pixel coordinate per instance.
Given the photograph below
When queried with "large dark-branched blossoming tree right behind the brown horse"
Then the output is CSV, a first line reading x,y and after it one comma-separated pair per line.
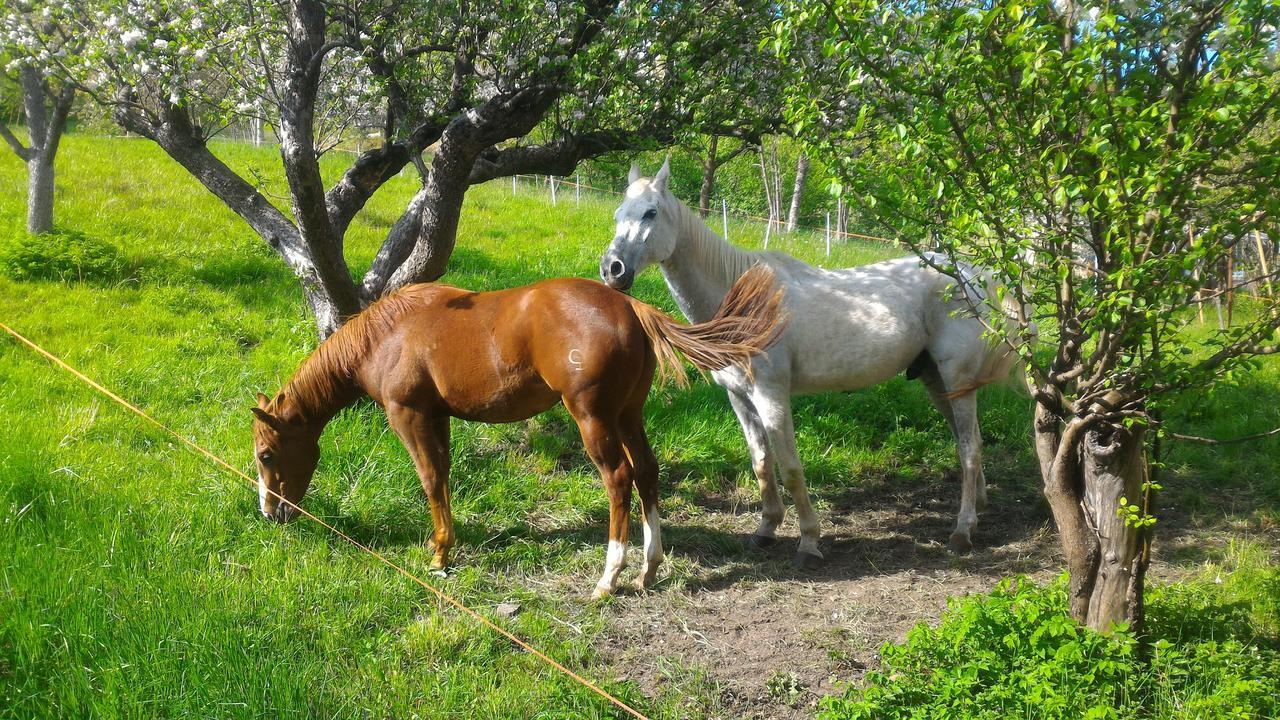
x,y
495,89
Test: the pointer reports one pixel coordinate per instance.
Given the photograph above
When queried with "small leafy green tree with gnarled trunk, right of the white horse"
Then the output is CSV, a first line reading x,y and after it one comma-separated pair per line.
x,y
1094,158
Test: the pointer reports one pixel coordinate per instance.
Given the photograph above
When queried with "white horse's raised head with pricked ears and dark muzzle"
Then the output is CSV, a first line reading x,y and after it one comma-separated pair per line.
x,y
646,231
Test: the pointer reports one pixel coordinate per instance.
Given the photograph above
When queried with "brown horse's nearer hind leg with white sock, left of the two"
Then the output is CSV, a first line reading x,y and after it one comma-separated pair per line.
x,y
604,443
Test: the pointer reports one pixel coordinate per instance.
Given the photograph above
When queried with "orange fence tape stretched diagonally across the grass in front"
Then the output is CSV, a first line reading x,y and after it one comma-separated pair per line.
x,y
235,471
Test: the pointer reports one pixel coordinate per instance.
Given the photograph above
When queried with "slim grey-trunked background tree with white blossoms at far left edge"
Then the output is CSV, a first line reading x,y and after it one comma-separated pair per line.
x,y
29,44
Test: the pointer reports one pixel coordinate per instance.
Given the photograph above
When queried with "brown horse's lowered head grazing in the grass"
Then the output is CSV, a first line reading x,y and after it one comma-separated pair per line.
x,y
287,452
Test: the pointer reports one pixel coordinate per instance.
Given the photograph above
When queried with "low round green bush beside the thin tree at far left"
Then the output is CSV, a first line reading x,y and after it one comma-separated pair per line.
x,y
61,256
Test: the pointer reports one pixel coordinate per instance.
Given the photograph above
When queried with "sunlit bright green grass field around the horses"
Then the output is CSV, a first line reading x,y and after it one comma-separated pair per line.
x,y
139,581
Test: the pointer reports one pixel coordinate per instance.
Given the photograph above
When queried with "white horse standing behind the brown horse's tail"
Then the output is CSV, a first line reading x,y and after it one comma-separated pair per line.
x,y
849,330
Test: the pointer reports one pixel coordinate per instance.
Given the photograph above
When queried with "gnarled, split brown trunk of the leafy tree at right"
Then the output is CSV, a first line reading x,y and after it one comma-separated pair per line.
x,y
1086,475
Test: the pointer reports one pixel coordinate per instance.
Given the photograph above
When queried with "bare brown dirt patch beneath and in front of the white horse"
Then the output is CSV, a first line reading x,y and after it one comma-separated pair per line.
x,y
744,635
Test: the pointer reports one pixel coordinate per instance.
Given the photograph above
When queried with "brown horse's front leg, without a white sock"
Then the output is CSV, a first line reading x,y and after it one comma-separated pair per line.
x,y
427,439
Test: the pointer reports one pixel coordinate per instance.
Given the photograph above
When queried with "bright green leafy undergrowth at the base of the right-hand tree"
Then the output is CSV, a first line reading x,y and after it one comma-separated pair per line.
x,y
1017,654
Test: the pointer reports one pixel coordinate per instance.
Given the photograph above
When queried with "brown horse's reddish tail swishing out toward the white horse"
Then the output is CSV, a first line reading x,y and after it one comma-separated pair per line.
x,y
749,321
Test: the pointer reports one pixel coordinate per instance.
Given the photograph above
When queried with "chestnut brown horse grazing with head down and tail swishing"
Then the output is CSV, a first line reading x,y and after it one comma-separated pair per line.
x,y
431,353
